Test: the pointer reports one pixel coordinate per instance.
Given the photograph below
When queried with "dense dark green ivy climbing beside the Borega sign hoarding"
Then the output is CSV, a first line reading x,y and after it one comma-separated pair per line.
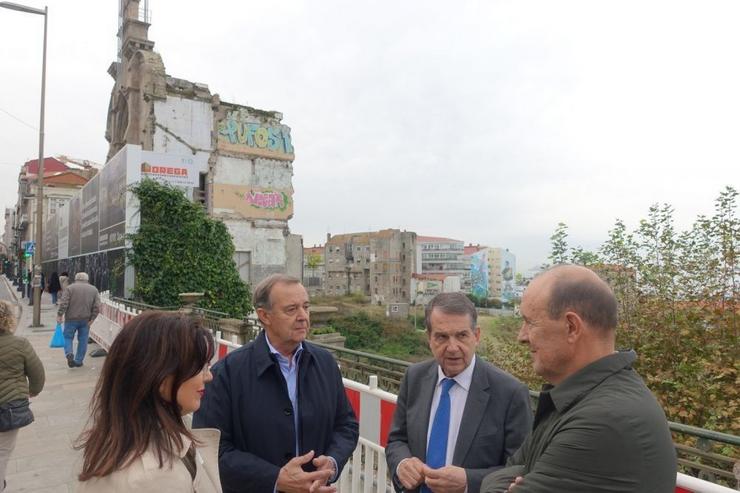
x,y
178,249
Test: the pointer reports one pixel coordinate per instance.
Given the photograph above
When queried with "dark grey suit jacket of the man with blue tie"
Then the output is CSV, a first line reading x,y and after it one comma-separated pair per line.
x,y
496,419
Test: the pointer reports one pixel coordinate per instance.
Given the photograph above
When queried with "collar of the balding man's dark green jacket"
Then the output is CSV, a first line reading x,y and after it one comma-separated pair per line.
x,y
573,388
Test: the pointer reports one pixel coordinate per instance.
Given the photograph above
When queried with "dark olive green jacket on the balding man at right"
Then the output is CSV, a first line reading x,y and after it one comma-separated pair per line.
x,y
598,431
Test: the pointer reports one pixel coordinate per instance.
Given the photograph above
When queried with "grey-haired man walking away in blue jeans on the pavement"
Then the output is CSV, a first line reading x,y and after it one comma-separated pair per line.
x,y
79,306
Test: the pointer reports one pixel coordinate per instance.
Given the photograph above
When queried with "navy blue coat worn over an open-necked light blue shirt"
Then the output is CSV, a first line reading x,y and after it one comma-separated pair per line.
x,y
248,401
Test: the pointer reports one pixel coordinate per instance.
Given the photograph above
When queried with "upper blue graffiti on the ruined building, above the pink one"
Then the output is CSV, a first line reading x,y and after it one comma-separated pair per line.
x,y
238,132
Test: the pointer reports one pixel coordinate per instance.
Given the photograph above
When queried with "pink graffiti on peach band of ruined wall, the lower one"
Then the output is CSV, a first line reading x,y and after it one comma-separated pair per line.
x,y
253,202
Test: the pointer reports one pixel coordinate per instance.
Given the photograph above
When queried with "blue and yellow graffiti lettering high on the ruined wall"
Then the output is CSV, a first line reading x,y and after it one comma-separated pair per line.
x,y
237,131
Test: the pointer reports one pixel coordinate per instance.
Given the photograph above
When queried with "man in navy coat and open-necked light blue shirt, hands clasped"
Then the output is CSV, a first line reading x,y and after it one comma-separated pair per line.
x,y
285,421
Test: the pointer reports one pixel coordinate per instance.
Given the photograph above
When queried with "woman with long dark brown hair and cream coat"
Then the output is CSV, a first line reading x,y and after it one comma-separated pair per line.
x,y
155,373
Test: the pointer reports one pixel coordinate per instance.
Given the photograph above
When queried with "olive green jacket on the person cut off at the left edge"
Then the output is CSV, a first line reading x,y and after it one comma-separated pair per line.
x,y
21,371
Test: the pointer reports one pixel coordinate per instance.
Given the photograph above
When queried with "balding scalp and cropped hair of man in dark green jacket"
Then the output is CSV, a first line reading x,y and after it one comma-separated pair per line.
x,y
580,290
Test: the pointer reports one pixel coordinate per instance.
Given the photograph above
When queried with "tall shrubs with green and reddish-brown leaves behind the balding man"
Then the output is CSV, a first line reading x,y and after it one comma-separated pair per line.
x,y
678,307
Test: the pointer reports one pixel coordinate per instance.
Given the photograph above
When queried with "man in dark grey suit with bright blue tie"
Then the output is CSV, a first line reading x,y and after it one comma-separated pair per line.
x,y
458,417
